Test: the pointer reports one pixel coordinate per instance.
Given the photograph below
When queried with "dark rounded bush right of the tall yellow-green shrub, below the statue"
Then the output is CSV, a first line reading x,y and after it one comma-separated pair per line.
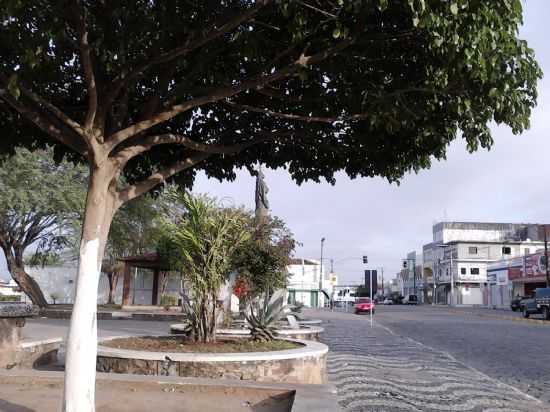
x,y
261,261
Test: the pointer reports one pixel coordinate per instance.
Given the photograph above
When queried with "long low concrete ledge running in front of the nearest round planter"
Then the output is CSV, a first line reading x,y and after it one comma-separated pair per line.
x,y
308,398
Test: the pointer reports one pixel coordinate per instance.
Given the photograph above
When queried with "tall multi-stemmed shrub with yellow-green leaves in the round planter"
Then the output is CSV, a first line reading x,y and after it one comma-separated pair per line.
x,y
200,245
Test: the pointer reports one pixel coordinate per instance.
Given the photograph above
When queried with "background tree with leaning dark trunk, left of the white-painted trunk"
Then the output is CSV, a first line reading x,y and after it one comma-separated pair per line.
x,y
39,202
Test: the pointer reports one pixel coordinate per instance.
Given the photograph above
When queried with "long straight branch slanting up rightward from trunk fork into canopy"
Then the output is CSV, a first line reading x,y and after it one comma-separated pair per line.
x,y
224,92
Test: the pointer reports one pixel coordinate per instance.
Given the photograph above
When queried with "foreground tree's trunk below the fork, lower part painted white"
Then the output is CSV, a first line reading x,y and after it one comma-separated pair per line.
x,y
80,364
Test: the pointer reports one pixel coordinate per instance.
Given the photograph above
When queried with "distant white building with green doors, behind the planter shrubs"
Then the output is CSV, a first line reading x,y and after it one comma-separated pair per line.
x,y
306,285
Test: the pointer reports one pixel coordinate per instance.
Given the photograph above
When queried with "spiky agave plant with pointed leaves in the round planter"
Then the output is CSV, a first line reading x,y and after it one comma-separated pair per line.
x,y
262,316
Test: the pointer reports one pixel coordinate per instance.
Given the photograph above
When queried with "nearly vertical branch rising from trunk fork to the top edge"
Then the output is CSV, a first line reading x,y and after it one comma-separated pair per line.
x,y
87,64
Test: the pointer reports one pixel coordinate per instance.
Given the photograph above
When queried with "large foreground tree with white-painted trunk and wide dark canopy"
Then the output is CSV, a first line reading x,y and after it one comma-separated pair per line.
x,y
164,88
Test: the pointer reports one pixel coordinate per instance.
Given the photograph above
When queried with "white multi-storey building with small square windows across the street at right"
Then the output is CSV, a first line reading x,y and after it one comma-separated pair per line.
x,y
457,258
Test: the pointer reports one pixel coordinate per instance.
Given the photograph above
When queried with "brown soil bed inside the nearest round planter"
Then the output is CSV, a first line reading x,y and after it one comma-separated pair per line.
x,y
177,344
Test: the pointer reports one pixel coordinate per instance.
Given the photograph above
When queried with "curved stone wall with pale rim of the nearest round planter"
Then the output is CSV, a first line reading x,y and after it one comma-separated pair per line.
x,y
306,364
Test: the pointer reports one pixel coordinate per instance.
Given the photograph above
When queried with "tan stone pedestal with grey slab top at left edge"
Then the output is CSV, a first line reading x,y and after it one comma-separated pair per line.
x,y
12,319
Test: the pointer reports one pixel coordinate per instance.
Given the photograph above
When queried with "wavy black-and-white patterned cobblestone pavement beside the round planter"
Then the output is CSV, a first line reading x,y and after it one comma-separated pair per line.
x,y
376,369
